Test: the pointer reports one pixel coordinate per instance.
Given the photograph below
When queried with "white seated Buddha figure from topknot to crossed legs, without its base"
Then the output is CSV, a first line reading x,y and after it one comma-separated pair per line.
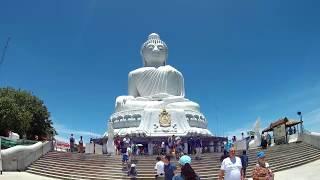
x,y
156,84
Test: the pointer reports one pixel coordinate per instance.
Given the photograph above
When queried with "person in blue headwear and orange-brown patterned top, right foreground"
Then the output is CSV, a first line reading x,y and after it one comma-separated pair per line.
x,y
262,170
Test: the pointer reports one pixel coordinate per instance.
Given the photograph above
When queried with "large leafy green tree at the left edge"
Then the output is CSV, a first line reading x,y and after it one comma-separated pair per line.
x,y
24,113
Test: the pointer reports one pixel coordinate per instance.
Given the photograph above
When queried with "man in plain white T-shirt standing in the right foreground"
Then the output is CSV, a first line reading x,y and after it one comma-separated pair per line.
x,y
231,167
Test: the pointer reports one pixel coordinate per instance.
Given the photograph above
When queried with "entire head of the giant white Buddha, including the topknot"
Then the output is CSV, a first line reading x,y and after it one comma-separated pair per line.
x,y
154,52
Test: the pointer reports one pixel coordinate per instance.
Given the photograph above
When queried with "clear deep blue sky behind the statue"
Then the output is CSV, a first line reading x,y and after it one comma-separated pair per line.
x,y
240,60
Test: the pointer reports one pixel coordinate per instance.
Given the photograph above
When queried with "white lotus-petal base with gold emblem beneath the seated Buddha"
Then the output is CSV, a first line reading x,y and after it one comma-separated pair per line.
x,y
155,122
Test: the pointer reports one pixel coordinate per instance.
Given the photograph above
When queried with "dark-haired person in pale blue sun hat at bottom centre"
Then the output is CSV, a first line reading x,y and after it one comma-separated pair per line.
x,y
187,173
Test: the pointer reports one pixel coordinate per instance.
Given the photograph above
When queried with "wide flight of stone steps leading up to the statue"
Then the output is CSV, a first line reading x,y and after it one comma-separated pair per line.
x,y
63,165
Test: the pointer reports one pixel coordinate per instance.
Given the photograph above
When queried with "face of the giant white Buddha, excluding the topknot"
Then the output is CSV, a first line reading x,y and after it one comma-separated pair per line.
x,y
154,54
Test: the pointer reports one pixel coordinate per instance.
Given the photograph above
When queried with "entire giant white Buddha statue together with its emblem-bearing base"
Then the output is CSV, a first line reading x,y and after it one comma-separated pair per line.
x,y
155,105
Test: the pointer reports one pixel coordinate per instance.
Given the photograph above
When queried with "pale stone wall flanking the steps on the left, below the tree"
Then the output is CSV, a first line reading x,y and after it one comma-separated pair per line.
x,y
18,158
